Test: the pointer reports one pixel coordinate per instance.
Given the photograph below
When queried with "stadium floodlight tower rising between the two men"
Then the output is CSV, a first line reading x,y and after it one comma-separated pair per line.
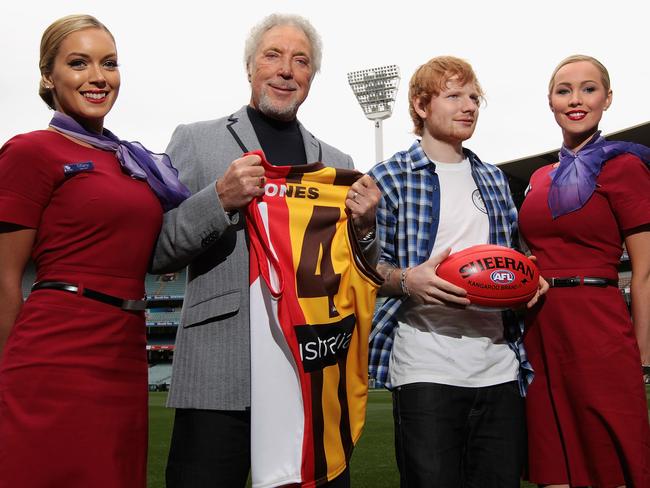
x,y
375,90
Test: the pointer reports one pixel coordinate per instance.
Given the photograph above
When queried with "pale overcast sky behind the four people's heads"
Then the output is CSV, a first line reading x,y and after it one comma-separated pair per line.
x,y
181,61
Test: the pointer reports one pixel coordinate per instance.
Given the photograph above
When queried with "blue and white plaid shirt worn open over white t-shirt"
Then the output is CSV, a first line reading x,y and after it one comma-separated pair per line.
x,y
407,225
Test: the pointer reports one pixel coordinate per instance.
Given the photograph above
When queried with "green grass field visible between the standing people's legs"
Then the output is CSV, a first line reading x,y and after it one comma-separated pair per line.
x,y
373,462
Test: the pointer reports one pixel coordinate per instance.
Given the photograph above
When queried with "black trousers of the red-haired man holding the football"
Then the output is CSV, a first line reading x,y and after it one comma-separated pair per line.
x,y
453,437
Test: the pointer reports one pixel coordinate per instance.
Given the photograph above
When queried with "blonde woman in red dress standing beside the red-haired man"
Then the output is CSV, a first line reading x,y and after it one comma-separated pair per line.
x,y
586,408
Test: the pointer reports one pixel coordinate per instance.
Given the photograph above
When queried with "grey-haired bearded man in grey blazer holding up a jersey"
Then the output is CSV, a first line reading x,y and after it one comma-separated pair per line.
x,y
211,377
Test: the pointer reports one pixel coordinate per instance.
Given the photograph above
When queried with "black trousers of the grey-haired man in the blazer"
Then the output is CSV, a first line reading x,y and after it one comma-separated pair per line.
x,y
211,449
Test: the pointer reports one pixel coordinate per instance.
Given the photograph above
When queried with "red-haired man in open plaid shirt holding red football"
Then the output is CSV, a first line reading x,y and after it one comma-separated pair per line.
x,y
456,373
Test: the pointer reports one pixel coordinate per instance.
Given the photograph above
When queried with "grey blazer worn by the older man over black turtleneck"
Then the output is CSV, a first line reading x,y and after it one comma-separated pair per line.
x,y
212,358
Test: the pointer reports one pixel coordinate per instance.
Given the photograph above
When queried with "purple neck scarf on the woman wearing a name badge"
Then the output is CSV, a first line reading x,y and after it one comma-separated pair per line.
x,y
136,160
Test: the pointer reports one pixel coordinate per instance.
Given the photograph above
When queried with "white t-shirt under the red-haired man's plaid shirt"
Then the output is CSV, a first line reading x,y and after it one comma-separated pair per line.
x,y
438,344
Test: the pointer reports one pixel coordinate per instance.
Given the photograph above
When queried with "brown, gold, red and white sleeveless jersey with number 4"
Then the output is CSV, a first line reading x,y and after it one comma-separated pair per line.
x,y
312,296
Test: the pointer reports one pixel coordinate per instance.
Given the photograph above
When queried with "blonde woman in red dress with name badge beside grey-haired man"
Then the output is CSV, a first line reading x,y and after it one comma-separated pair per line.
x,y
86,207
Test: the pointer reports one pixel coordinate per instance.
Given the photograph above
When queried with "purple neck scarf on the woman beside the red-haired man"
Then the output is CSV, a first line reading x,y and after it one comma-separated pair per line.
x,y
574,180
